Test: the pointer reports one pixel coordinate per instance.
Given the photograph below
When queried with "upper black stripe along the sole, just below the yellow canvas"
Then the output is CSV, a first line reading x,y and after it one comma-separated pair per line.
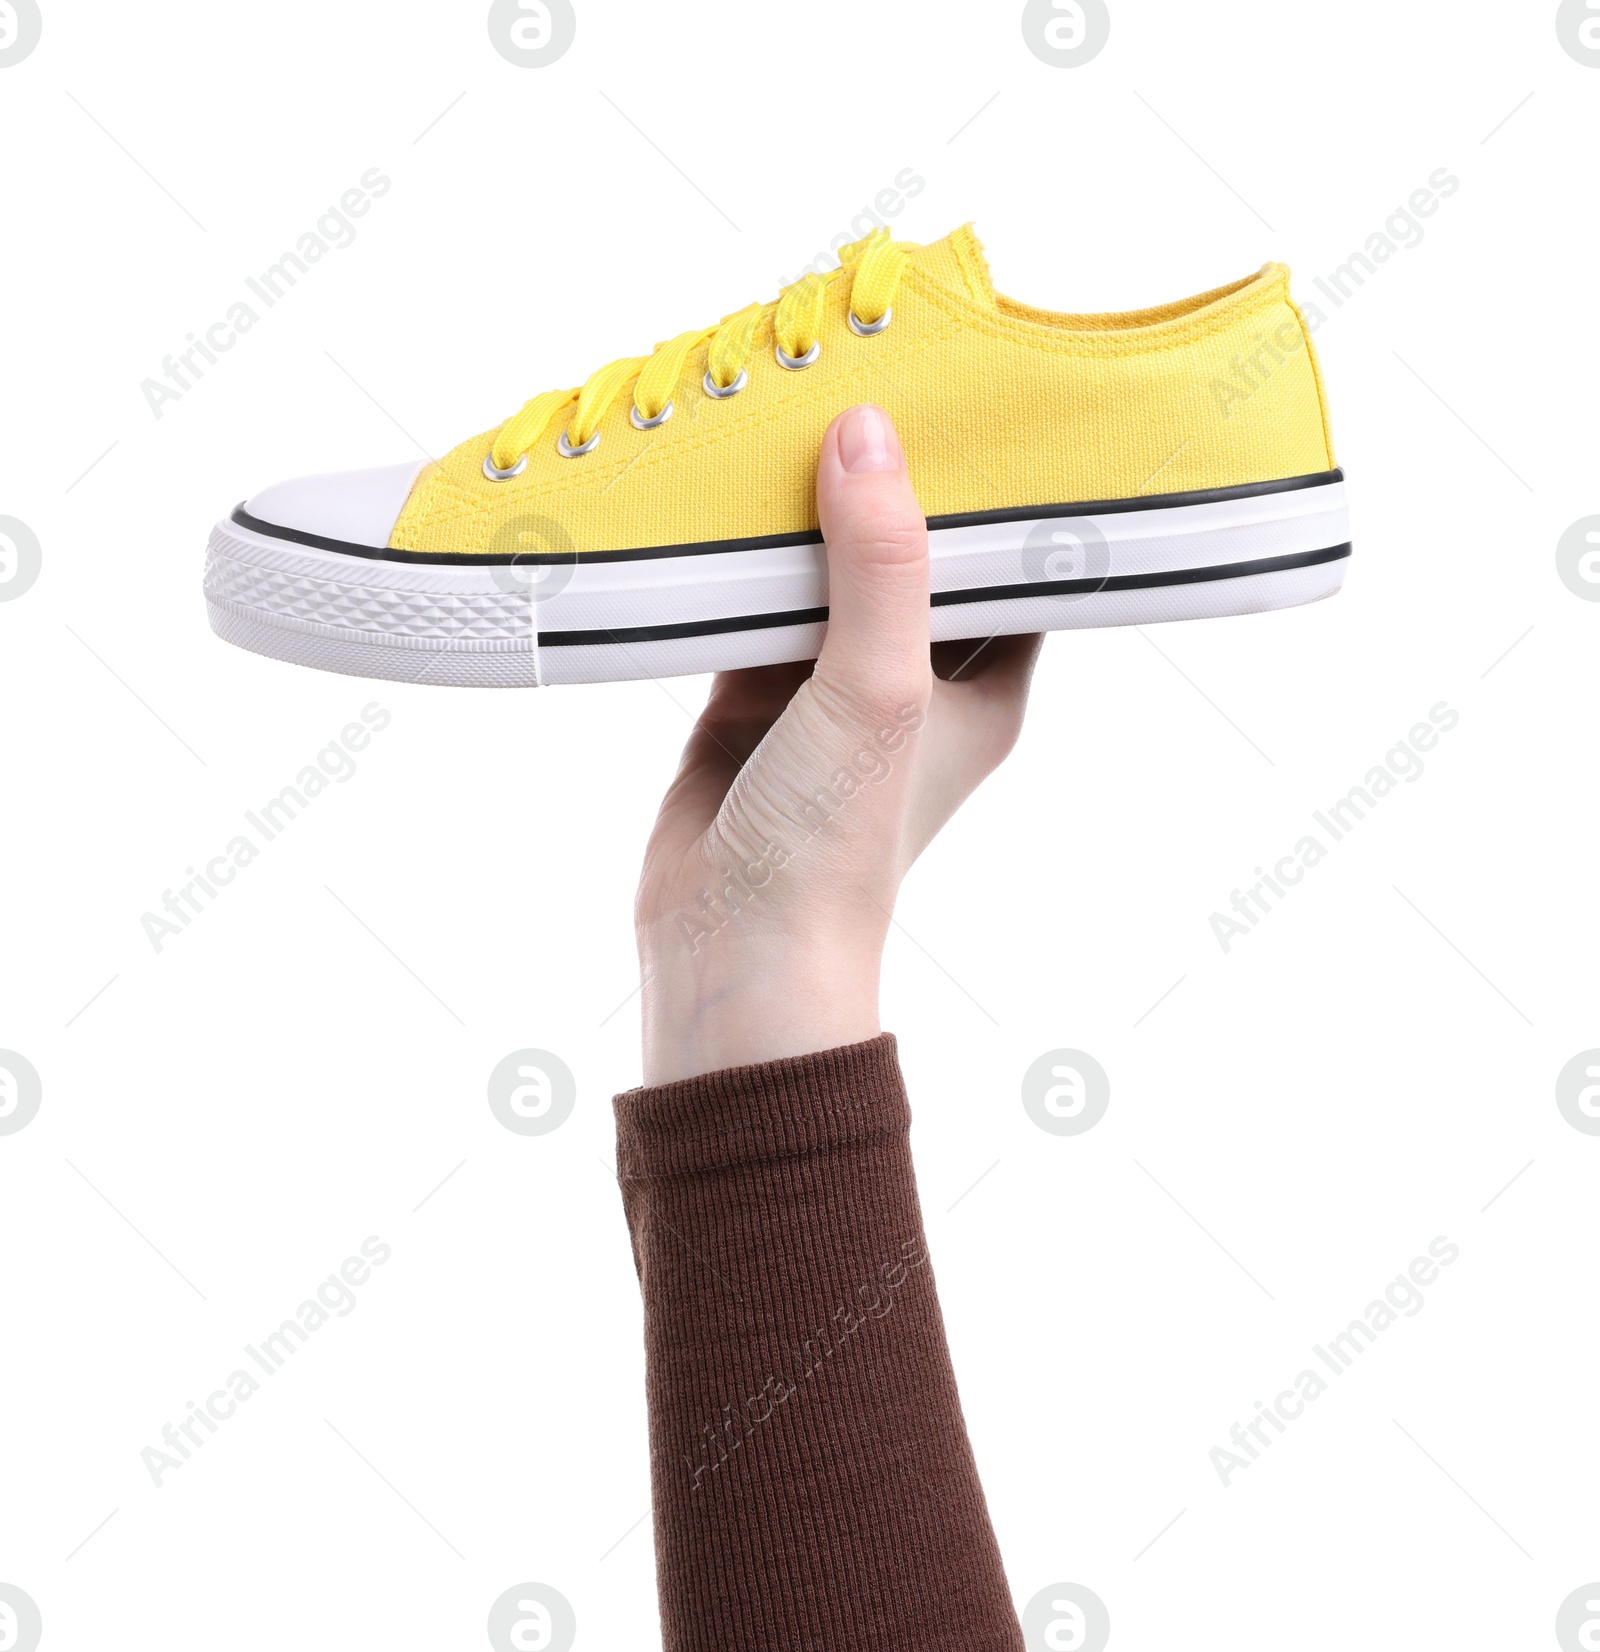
x,y
466,559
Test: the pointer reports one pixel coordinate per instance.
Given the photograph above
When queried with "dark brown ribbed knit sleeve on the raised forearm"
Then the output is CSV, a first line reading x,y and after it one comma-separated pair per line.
x,y
813,1483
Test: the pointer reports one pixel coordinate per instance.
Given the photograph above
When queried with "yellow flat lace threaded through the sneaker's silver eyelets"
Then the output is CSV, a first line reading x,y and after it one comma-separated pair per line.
x,y
873,267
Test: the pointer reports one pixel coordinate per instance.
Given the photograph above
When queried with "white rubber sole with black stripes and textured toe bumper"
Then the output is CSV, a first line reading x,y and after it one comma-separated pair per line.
x,y
686,610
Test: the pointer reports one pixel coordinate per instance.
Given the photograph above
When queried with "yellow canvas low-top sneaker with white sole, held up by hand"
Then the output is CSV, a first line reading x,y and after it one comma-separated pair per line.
x,y
1170,463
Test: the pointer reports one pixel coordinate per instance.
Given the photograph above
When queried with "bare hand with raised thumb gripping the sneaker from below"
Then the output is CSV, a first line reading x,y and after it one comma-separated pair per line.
x,y
807,792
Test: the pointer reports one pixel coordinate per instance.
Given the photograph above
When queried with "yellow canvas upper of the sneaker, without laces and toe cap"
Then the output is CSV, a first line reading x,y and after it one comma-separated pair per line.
x,y
998,404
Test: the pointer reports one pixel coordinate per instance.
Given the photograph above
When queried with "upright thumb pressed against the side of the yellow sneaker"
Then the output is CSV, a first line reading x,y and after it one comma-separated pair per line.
x,y
878,563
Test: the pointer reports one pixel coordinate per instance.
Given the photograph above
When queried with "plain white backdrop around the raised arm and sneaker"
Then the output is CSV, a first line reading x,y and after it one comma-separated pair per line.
x,y
1289,1127
